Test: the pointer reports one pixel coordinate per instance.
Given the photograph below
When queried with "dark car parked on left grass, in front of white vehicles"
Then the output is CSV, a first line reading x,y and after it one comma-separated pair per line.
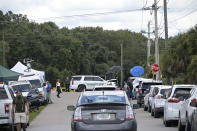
x,y
34,98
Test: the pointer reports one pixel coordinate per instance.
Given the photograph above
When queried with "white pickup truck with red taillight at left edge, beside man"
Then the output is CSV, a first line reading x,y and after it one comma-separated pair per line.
x,y
6,99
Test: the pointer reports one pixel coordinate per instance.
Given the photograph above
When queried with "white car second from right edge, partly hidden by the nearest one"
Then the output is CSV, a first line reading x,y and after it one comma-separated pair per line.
x,y
187,108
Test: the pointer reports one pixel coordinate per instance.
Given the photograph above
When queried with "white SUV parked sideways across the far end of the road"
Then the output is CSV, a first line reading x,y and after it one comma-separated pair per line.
x,y
86,82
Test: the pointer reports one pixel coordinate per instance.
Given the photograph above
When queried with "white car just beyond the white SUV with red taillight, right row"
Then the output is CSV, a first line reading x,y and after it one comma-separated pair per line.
x,y
159,96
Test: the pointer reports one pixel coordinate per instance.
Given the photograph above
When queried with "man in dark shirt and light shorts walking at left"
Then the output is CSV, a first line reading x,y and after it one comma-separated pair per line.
x,y
20,111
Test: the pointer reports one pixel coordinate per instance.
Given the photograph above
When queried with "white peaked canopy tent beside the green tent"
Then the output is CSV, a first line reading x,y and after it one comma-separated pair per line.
x,y
20,68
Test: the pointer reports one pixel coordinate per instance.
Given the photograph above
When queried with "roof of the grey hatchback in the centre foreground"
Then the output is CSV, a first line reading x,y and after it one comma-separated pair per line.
x,y
92,93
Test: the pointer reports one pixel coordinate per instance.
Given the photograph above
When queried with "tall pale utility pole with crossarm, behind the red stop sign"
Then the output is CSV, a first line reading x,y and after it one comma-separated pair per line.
x,y
156,39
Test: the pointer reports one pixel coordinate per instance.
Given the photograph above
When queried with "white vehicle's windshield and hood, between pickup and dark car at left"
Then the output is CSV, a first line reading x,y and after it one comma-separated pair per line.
x,y
23,86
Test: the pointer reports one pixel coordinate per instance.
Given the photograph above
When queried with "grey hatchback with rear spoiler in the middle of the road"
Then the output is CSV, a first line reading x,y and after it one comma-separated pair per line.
x,y
103,111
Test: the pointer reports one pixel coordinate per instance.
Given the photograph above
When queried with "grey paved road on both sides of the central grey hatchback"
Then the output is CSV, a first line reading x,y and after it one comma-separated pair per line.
x,y
55,117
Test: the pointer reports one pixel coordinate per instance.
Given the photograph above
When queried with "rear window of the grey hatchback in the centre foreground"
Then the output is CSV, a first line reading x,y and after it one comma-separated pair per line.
x,y
102,99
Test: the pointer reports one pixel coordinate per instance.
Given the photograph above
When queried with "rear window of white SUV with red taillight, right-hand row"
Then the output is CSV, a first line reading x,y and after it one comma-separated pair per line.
x,y
182,93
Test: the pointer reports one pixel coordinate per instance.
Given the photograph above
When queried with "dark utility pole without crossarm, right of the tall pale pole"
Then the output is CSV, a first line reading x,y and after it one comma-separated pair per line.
x,y
166,24
